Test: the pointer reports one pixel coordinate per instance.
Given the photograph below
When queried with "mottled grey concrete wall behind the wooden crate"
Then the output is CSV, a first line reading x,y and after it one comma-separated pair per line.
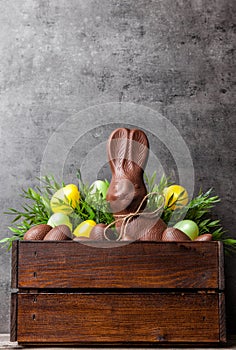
x,y
59,57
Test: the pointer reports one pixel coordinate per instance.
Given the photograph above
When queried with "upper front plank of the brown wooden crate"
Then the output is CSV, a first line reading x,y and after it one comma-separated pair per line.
x,y
137,265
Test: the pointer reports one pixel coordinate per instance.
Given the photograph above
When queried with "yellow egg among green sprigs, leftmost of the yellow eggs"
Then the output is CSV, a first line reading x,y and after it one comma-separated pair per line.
x,y
65,199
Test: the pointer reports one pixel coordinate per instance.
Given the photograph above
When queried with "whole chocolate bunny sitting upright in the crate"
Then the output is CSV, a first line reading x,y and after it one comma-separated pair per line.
x,y
127,154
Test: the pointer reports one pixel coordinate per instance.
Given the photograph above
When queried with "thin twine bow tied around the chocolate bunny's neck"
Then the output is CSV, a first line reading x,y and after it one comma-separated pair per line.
x,y
126,218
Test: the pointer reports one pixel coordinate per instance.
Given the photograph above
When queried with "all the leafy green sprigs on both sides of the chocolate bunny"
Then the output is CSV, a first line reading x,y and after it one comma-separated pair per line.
x,y
36,208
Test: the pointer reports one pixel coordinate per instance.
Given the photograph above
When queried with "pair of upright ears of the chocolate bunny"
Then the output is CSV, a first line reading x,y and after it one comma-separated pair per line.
x,y
127,150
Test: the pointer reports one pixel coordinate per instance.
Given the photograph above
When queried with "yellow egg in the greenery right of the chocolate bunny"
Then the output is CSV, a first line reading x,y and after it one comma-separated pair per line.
x,y
176,197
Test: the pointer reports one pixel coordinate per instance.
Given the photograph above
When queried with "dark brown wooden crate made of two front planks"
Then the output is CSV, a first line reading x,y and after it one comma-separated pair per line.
x,y
144,293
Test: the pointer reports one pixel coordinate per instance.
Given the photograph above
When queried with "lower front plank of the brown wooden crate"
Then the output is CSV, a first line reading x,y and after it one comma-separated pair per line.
x,y
118,318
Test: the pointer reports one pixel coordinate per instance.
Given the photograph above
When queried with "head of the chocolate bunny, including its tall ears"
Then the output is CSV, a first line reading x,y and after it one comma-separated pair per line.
x,y
127,154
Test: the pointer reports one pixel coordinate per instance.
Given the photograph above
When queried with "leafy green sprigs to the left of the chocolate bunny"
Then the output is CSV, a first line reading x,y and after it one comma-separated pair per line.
x,y
36,208
